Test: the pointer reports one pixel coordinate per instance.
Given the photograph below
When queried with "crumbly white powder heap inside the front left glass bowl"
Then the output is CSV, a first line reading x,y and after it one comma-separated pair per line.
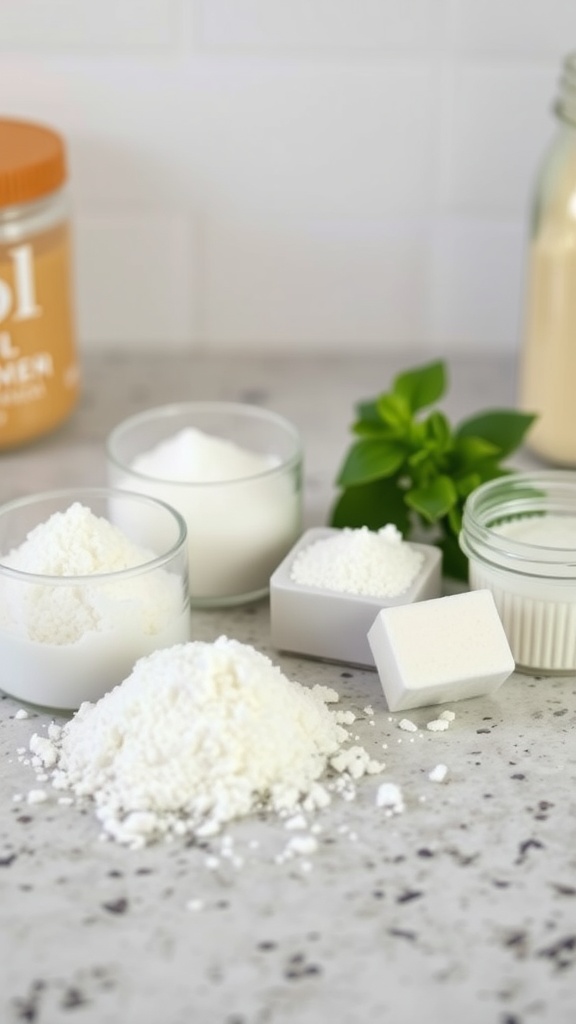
x,y
78,543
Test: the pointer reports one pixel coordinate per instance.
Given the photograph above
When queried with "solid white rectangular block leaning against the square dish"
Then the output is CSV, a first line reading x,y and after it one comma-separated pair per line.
x,y
444,650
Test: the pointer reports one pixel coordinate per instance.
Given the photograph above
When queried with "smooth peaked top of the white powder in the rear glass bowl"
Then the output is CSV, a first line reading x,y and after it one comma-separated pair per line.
x,y
194,457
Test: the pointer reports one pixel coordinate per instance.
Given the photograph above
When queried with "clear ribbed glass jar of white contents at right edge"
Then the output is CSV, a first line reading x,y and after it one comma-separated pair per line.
x,y
519,533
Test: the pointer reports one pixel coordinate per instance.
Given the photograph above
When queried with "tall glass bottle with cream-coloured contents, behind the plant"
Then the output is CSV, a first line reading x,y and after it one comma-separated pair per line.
x,y
548,380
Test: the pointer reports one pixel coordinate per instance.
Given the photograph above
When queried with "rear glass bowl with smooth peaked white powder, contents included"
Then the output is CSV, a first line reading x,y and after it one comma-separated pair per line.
x,y
234,472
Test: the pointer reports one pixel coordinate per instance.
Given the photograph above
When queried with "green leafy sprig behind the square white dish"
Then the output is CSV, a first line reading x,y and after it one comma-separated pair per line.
x,y
417,471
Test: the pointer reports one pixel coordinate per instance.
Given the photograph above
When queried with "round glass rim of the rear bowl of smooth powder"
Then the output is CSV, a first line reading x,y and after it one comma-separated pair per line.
x,y
164,413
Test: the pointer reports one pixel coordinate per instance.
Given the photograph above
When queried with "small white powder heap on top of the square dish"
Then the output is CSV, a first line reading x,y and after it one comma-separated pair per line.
x,y
376,564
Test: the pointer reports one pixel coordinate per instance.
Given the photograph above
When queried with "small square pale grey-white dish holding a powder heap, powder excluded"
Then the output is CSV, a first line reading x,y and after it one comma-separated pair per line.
x,y
331,625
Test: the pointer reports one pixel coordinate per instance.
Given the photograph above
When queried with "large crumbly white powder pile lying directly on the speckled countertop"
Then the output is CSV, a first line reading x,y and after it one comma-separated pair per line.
x,y
197,736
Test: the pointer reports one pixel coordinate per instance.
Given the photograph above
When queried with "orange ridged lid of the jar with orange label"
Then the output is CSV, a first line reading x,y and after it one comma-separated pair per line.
x,y
32,162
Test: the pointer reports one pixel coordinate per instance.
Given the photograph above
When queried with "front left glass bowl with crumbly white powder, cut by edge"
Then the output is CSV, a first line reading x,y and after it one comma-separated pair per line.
x,y
83,595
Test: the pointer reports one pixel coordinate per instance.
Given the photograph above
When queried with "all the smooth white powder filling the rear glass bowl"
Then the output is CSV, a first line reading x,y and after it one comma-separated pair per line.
x,y
242,510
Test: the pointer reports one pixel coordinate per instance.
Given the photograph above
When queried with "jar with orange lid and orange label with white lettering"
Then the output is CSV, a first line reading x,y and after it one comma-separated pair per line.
x,y
39,372
